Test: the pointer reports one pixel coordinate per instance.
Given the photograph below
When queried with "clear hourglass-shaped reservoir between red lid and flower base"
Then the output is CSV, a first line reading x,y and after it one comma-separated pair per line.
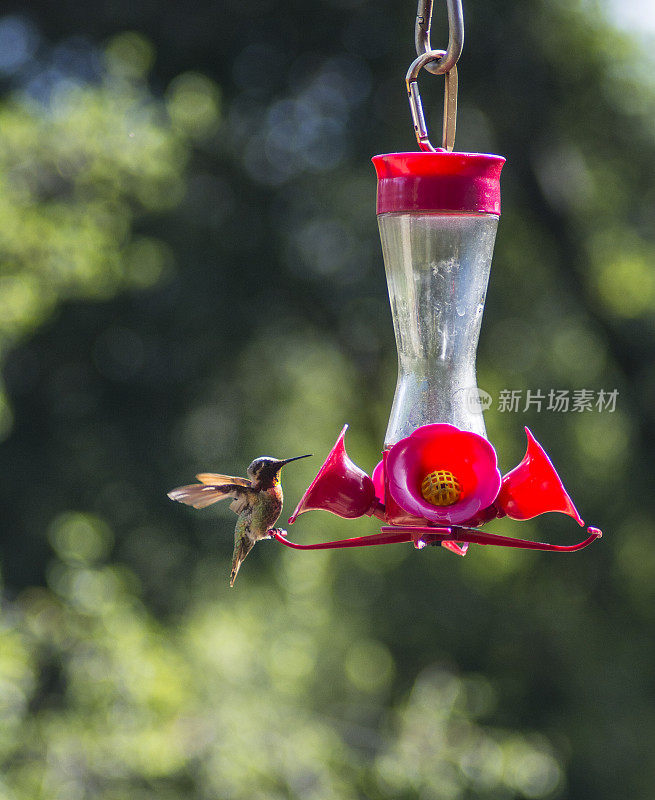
x,y
437,266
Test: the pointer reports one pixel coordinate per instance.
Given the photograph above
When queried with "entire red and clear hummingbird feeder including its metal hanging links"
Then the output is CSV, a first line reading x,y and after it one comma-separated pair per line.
x,y
438,480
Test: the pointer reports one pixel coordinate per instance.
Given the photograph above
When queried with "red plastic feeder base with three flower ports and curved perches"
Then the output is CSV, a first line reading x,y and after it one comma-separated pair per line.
x,y
434,487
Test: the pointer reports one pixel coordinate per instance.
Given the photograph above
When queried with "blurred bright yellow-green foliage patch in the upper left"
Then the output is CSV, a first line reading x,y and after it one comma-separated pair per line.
x,y
81,166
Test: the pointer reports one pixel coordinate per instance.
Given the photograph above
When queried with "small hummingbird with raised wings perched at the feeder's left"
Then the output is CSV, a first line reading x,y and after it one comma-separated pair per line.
x,y
256,500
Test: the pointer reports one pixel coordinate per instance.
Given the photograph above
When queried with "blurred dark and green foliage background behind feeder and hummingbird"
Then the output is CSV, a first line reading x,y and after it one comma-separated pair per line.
x,y
190,277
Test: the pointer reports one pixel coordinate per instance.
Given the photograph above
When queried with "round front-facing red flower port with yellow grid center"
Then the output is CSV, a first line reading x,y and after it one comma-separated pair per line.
x,y
443,474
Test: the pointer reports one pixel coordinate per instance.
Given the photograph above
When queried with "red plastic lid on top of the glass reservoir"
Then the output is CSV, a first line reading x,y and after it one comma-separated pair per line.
x,y
440,181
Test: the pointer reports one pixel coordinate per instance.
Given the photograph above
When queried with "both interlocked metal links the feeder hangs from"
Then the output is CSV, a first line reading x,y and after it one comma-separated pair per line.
x,y
438,62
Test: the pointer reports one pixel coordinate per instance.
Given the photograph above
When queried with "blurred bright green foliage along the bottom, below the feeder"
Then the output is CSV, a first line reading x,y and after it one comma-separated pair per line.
x,y
100,699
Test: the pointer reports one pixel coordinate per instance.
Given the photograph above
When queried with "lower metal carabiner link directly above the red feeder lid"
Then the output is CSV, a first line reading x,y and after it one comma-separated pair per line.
x,y
449,105
